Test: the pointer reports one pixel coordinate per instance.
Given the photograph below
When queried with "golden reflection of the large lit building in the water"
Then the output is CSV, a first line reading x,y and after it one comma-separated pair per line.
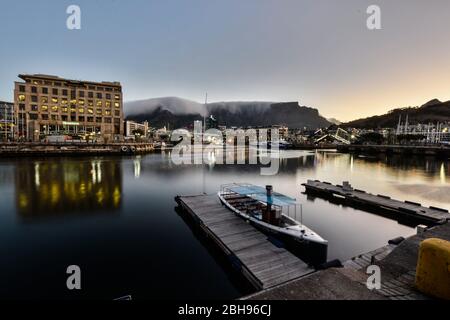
x,y
59,187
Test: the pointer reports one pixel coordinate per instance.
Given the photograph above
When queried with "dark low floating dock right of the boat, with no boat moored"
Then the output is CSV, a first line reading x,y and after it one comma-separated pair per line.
x,y
408,209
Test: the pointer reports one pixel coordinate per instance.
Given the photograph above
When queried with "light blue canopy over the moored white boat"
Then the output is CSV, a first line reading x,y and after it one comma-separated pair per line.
x,y
259,193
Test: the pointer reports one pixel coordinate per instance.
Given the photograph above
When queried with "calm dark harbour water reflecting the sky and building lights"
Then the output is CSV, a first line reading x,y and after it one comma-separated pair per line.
x,y
116,219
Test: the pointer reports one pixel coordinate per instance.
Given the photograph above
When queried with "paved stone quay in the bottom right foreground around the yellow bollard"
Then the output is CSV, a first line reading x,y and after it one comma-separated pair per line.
x,y
398,268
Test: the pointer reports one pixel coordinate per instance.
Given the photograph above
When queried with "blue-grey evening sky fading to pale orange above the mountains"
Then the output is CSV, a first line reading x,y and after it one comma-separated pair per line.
x,y
317,52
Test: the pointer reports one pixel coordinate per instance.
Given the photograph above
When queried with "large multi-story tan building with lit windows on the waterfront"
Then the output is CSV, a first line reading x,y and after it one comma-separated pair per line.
x,y
47,105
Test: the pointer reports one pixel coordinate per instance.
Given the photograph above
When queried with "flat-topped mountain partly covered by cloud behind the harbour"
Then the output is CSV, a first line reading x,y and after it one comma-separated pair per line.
x,y
178,113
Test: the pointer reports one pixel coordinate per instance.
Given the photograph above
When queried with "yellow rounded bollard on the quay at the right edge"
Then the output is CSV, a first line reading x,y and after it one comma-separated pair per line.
x,y
433,268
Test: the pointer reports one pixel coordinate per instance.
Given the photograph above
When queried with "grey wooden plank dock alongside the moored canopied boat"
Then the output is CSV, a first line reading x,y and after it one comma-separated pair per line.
x,y
264,263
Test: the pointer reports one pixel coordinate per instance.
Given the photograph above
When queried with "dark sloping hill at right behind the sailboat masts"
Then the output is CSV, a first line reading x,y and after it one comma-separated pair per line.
x,y
432,111
